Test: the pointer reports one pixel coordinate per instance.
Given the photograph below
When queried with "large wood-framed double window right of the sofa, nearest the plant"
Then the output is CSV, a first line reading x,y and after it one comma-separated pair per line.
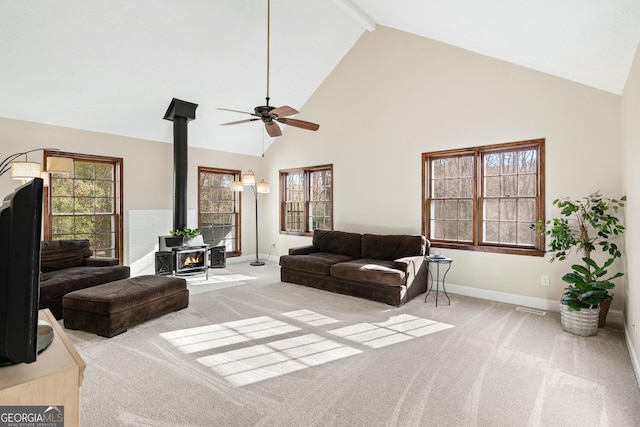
x,y
485,198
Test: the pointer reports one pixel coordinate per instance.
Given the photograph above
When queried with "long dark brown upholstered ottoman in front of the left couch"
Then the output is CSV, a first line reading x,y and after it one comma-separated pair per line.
x,y
111,308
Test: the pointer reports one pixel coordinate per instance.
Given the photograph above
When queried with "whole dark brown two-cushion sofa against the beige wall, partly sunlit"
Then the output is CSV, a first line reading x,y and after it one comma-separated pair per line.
x,y
385,268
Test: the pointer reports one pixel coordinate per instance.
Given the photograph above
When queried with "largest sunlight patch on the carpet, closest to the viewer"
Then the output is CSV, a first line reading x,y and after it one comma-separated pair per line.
x,y
261,362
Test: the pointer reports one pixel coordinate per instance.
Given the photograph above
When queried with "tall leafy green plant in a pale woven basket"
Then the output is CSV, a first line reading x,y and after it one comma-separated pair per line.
x,y
586,225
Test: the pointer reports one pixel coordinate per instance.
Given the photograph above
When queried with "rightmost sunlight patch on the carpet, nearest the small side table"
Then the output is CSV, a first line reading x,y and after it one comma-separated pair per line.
x,y
397,329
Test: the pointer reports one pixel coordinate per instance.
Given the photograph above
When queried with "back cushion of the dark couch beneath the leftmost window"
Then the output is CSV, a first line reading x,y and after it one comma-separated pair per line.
x,y
59,254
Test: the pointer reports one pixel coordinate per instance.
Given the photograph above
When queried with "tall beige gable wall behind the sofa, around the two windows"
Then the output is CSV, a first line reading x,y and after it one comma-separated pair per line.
x,y
396,95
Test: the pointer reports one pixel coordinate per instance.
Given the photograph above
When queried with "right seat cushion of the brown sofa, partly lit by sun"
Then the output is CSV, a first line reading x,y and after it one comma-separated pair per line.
x,y
369,270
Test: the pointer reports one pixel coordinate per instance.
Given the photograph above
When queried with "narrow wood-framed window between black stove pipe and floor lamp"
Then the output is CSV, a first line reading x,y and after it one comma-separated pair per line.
x,y
219,209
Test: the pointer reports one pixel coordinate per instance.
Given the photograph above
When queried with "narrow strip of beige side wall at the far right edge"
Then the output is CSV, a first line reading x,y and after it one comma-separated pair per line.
x,y
631,178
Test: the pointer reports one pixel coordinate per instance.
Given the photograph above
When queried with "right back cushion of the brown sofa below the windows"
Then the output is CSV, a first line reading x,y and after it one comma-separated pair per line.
x,y
392,247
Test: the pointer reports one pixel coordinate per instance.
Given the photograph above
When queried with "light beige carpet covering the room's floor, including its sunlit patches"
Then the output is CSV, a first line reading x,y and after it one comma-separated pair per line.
x,y
259,352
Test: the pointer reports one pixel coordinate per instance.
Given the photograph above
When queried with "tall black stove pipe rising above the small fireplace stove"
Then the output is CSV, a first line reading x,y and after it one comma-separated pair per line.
x,y
180,113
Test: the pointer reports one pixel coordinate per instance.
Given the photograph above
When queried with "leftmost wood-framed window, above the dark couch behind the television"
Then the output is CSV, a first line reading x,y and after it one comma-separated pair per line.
x,y
87,203
